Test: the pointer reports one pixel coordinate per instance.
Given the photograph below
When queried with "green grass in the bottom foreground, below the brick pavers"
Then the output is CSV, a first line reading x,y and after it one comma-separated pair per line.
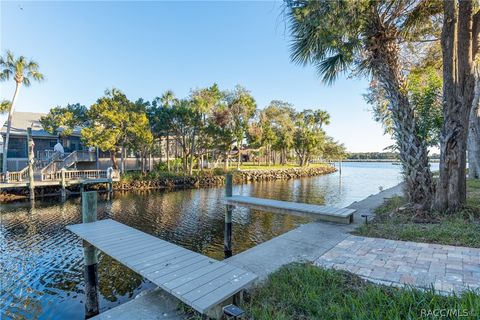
x,y
302,291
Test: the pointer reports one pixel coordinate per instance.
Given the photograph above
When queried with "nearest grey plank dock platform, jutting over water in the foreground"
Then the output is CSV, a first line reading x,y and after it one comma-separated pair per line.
x,y
195,279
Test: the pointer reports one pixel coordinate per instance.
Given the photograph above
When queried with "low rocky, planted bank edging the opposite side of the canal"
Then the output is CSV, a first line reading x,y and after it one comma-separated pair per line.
x,y
164,180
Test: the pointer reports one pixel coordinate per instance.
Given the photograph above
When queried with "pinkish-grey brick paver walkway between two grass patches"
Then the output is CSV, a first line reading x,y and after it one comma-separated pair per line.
x,y
393,262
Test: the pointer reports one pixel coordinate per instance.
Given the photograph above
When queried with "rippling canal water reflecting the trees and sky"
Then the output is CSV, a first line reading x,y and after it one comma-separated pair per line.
x,y
41,267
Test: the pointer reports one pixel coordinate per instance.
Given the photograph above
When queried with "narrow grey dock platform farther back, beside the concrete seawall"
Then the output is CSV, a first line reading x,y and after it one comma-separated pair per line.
x,y
332,214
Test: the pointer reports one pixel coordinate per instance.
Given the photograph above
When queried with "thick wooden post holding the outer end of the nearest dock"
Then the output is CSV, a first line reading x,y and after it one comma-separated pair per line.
x,y
90,253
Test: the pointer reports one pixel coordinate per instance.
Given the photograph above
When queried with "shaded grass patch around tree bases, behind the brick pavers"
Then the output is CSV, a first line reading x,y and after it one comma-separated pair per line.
x,y
460,229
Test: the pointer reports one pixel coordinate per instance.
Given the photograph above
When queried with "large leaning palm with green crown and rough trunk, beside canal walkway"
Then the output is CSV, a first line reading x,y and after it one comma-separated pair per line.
x,y
365,38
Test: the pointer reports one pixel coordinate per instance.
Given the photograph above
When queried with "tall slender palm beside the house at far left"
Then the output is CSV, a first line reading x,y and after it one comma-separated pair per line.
x,y
23,72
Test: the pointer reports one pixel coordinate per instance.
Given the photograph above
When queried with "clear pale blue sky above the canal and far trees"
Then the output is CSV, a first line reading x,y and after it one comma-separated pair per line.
x,y
145,48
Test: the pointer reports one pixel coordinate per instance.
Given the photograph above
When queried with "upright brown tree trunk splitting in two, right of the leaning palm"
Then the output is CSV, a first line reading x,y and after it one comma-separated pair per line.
x,y
458,94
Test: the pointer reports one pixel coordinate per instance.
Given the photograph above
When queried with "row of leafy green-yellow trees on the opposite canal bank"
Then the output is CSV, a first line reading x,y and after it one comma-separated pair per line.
x,y
210,126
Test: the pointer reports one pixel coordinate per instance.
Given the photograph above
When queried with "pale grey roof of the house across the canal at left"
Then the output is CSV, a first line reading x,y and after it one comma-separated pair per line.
x,y
23,120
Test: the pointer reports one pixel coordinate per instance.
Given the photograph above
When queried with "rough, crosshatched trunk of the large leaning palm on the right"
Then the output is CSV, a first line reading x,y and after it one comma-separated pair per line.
x,y
413,150
